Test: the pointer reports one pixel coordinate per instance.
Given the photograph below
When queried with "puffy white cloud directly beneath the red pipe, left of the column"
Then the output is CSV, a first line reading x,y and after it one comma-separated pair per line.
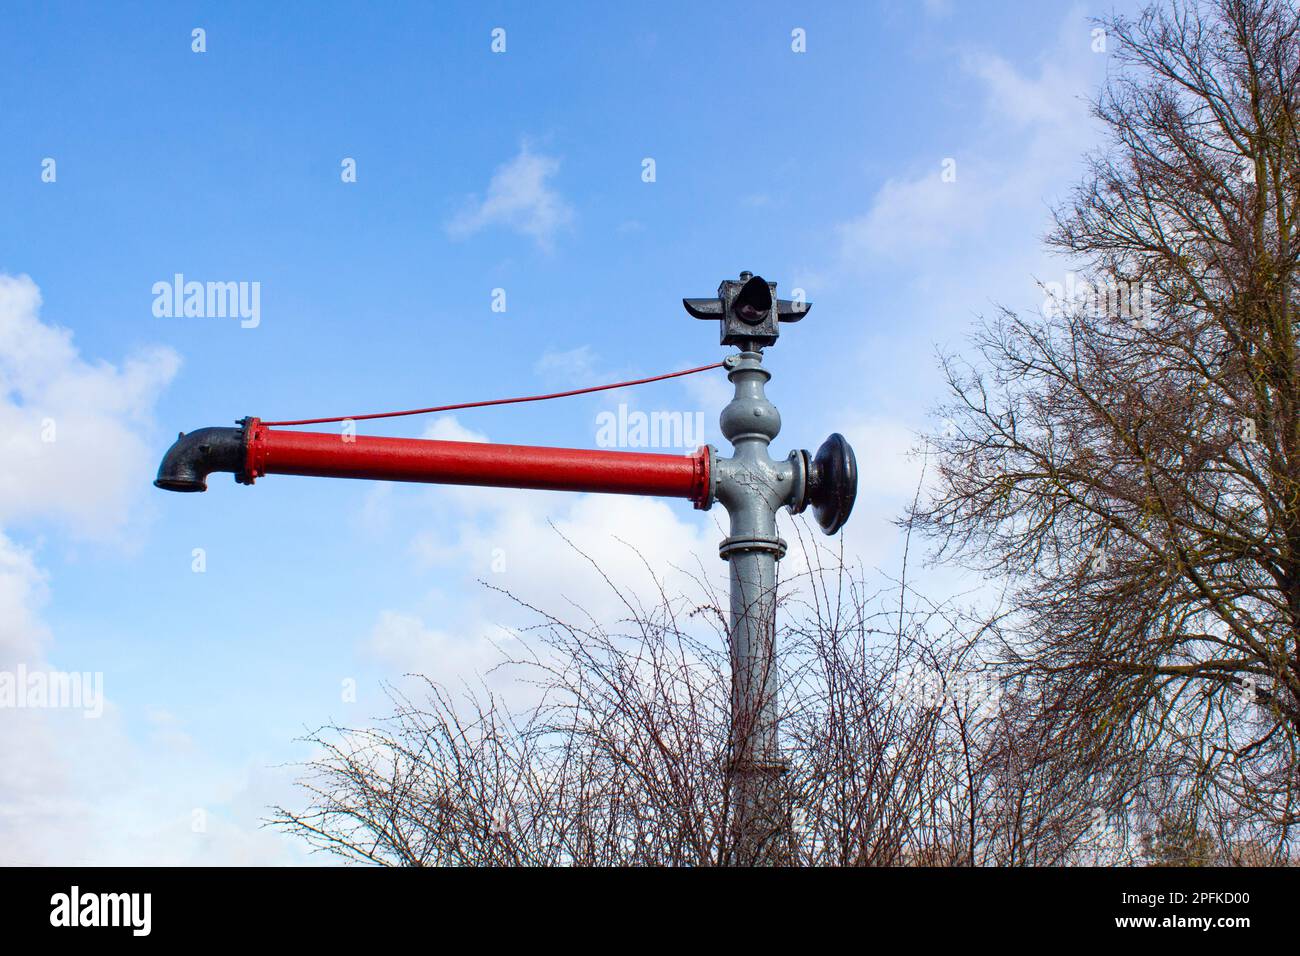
x,y
549,551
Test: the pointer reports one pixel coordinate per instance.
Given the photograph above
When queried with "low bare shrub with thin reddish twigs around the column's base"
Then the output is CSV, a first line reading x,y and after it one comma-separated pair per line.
x,y
890,724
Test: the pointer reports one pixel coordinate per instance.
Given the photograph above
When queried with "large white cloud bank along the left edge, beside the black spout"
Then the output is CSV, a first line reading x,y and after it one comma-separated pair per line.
x,y
79,791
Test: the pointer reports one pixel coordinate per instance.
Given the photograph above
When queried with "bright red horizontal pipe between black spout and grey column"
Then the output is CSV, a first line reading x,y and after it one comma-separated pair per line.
x,y
274,452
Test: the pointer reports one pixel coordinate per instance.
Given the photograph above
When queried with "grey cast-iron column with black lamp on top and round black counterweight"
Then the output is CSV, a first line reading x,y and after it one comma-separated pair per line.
x,y
753,487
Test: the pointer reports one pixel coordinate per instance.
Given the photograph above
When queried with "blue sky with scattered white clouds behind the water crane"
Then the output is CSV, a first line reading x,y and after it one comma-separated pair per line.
x,y
387,180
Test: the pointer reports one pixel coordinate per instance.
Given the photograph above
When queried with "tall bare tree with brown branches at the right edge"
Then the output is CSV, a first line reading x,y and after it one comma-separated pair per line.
x,y
1130,460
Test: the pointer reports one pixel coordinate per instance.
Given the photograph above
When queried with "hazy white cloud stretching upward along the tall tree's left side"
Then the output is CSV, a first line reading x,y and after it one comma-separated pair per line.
x,y
951,249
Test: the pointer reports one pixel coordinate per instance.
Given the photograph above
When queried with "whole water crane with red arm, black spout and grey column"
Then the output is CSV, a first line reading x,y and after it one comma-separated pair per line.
x,y
751,485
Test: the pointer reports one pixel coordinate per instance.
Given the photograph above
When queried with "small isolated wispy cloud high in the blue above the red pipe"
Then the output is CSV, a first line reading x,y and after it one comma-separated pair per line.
x,y
521,198
